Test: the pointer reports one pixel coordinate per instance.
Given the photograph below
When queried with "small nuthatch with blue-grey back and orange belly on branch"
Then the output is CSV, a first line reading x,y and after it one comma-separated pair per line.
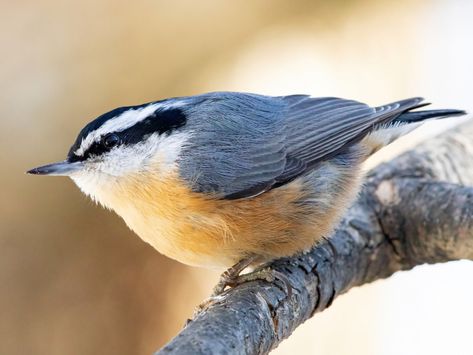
x,y
230,180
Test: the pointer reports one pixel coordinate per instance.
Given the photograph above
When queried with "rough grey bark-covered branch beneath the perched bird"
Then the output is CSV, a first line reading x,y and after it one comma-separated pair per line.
x,y
416,209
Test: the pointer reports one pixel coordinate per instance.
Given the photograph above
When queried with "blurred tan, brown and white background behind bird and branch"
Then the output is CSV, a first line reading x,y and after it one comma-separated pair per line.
x,y
75,280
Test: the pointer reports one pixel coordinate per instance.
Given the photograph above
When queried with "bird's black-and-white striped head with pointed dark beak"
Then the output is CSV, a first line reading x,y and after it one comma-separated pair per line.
x,y
124,142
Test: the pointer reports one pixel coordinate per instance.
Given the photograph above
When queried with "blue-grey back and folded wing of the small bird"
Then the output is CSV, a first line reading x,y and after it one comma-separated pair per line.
x,y
256,142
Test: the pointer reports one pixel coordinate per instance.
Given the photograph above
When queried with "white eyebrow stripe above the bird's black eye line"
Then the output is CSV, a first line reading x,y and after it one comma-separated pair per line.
x,y
121,122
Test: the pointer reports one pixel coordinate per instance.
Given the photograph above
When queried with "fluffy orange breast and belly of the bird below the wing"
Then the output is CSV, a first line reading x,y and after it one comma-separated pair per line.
x,y
199,230
